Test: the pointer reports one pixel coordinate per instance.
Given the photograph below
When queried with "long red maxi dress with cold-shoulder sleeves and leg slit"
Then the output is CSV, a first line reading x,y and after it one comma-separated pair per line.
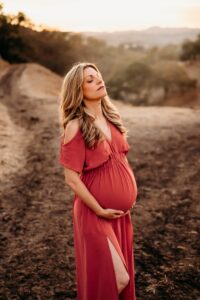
x,y
110,179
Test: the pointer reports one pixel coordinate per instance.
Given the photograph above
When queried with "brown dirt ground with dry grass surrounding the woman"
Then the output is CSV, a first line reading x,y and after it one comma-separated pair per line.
x,y
36,207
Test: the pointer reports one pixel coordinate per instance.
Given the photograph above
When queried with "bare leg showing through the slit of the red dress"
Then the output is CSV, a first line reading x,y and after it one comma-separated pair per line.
x,y
122,277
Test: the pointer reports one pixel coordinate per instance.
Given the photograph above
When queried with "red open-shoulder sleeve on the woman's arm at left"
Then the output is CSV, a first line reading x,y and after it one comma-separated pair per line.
x,y
72,153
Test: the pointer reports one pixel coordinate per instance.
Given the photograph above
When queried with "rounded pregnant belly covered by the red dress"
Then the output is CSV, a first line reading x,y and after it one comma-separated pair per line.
x,y
113,186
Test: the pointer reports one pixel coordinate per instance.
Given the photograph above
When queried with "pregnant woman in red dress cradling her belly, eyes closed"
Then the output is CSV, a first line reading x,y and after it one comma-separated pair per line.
x,y
93,148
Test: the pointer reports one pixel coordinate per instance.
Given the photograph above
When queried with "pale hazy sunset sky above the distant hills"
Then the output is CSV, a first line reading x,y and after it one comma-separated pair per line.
x,y
108,15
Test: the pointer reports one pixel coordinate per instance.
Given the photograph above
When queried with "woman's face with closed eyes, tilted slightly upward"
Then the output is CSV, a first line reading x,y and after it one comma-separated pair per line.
x,y
93,84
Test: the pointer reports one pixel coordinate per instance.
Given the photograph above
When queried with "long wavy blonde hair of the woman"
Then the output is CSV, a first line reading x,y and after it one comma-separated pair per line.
x,y
72,106
